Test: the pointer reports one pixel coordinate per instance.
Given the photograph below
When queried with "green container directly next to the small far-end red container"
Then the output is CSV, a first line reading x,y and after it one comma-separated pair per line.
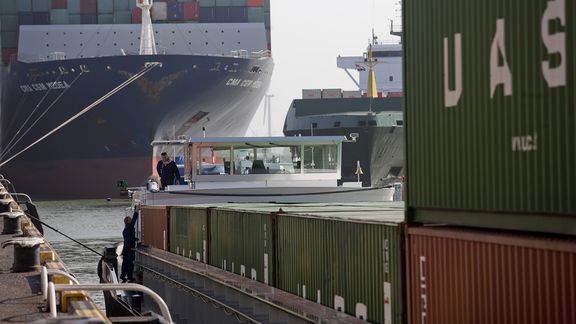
x,y
189,232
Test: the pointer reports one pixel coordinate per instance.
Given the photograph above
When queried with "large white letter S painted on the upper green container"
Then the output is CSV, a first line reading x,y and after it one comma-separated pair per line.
x,y
555,43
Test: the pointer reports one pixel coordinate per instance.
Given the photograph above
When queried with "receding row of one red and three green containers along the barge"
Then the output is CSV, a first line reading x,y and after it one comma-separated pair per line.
x,y
348,256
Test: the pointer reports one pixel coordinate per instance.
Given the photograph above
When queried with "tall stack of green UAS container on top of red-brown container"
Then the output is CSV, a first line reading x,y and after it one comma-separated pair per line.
x,y
490,96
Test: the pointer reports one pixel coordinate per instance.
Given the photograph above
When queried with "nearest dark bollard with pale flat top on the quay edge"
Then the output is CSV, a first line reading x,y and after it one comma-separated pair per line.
x,y
26,253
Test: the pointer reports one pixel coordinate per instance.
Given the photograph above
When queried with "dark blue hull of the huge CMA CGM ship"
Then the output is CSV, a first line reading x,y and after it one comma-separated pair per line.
x,y
111,142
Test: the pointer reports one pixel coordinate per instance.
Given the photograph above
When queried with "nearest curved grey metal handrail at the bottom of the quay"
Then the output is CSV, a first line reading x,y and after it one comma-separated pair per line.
x,y
107,287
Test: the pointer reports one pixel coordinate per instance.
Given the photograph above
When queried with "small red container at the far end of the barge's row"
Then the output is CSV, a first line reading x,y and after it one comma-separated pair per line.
x,y
155,229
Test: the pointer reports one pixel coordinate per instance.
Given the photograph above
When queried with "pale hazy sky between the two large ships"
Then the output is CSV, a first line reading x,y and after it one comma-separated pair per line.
x,y
307,36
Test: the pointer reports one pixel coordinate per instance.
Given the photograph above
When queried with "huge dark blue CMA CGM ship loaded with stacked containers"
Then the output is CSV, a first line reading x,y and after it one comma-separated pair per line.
x,y
130,75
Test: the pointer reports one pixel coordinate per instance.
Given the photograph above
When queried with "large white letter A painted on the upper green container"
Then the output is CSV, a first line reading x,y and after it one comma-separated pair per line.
x,y
499,74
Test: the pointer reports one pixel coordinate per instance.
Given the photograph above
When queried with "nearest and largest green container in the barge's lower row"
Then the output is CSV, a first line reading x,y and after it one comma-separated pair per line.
x,y
356,267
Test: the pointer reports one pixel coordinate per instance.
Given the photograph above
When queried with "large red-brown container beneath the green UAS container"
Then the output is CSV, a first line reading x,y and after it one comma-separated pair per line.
x,y
471,276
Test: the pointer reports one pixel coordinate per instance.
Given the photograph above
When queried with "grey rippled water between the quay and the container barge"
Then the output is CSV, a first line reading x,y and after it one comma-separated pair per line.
x,y
95,223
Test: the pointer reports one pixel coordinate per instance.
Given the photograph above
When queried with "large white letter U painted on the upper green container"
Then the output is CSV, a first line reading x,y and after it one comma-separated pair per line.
x,y
451,97
